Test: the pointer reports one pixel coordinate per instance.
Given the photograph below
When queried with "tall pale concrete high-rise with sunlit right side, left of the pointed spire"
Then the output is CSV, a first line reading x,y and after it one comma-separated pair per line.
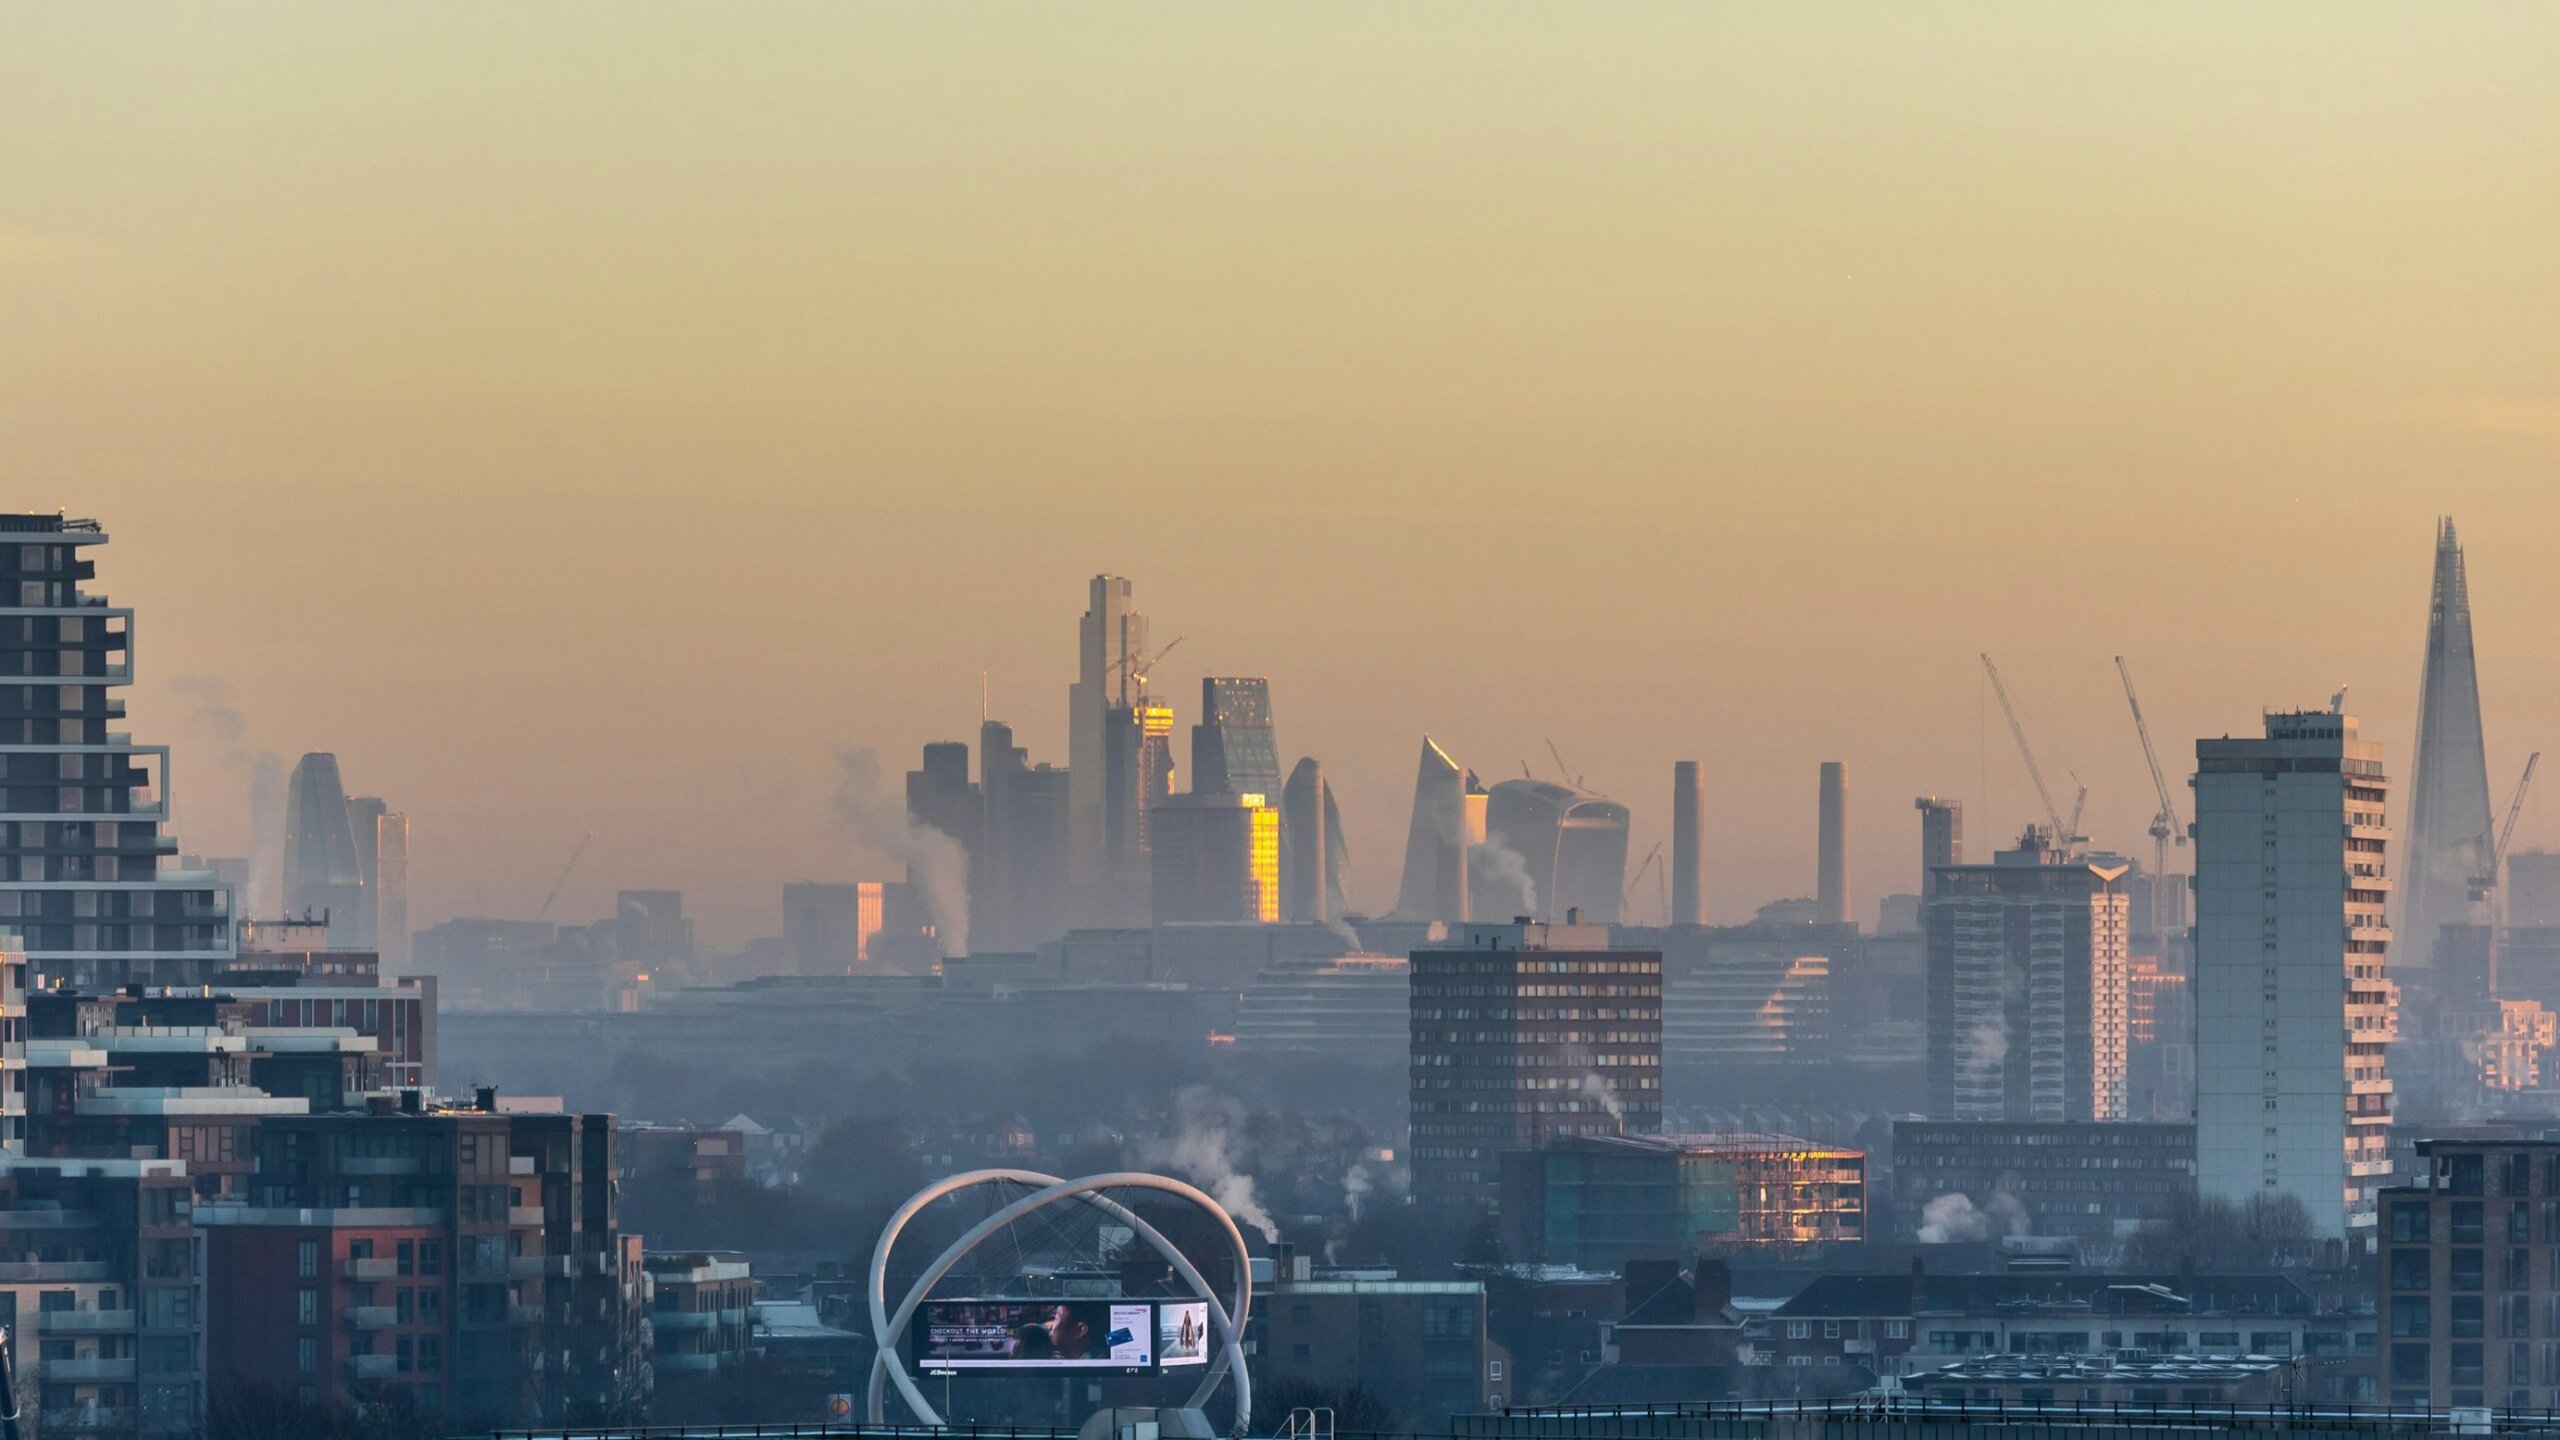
x,y
2292,942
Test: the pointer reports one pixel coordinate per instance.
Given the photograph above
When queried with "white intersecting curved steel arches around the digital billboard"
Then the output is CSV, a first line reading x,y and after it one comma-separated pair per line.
x,y
887,1331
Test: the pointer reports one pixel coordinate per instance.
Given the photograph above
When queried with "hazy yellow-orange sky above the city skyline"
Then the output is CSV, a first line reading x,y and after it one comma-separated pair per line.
x,y
593,416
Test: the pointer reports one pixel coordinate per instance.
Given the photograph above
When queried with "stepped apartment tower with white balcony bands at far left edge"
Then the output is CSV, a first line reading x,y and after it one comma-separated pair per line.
x,y
86,870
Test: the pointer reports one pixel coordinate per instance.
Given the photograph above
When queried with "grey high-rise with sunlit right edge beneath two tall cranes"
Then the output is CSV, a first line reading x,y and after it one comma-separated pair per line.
x,y
2026,988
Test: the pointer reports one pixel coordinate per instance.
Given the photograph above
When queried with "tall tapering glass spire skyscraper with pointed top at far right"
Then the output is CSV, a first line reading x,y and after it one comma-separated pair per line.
x,y
2449,798
